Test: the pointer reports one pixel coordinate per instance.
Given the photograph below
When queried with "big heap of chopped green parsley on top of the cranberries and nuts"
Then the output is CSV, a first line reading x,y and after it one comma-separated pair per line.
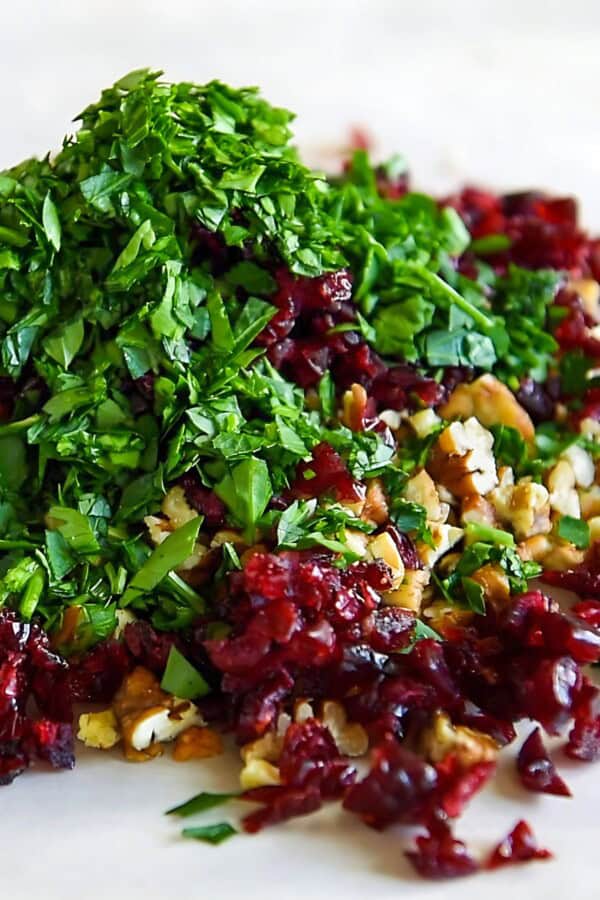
x,y
101,285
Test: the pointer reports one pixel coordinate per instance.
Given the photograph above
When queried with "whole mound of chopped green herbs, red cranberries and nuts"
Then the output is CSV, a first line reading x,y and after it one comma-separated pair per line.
x,y
279,456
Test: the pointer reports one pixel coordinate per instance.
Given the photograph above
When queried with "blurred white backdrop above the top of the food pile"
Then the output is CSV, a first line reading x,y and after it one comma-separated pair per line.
x,y
499,92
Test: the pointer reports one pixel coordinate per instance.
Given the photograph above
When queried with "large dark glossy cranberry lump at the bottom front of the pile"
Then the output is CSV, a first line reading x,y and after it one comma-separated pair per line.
x,y
397,788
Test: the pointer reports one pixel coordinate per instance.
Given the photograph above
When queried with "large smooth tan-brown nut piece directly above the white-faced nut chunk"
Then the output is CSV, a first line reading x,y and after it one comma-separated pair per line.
x,y
491,402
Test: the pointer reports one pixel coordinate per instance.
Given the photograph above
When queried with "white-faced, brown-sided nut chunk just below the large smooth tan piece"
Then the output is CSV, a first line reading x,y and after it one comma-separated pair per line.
x,y
462,459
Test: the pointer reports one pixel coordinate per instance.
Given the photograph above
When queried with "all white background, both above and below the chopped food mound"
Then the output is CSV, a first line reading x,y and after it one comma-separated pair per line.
x,y
502,93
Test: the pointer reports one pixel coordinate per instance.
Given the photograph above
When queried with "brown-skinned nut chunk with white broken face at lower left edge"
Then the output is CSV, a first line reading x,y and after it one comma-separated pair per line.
x,y
147,715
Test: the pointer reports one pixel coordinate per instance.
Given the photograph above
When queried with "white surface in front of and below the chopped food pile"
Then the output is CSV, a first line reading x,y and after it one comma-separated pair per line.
x,y
99,832
